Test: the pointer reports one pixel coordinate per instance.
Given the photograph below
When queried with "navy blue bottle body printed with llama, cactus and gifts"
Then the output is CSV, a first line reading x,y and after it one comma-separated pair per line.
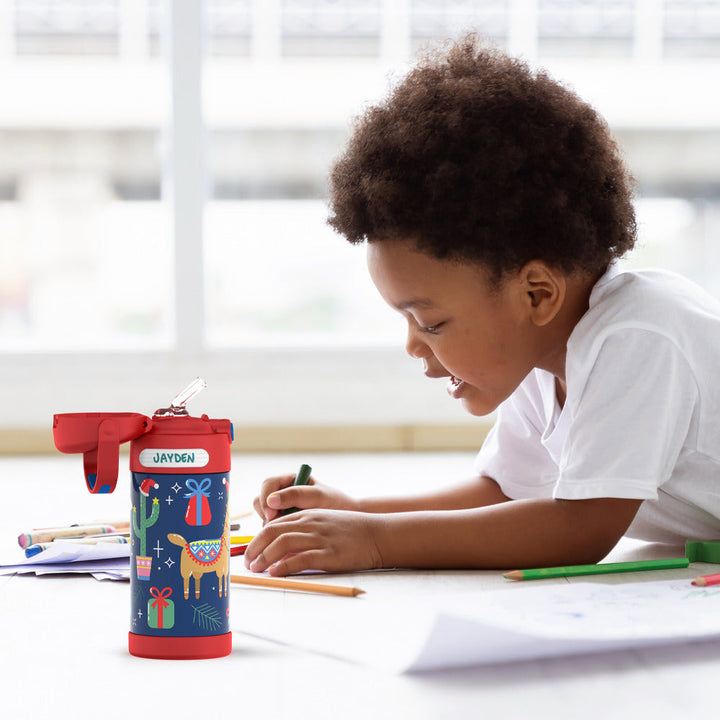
x,y
180,560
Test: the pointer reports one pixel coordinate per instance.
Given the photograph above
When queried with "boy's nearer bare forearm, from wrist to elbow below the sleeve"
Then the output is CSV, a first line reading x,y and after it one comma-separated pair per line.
x,y
517,534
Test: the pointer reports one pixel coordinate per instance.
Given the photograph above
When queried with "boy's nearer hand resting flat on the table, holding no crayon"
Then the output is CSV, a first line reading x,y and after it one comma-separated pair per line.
x,y
318,539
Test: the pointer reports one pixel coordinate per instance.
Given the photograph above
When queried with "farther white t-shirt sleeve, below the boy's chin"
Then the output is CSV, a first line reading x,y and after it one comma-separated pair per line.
x,y
513,454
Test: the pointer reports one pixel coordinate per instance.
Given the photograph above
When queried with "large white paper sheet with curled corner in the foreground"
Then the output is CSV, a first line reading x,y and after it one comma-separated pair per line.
x,y
522,622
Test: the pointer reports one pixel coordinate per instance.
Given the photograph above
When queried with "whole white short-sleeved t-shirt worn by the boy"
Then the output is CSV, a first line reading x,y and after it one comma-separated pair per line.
x,y
642,414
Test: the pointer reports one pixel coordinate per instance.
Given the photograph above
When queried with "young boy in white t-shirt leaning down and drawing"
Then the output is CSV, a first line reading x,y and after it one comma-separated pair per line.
x,y
493,202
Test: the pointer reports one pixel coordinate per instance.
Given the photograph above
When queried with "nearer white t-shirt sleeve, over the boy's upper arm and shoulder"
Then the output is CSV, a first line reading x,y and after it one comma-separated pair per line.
x,y
630,419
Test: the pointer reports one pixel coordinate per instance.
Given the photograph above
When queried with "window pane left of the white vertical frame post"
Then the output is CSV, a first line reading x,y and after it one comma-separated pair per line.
x,y
84,237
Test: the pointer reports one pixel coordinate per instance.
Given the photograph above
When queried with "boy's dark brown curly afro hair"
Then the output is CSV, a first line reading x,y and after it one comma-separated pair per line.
x,y
476,157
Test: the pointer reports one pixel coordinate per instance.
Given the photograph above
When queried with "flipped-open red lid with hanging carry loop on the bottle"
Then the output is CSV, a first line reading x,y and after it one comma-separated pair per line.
x,y
98,437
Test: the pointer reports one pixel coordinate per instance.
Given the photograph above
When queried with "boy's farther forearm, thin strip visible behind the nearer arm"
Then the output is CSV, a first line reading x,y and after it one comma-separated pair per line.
x,y
477,492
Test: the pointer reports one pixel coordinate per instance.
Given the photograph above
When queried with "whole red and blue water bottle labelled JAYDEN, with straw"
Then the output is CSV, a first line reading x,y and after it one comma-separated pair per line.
x,y
179,522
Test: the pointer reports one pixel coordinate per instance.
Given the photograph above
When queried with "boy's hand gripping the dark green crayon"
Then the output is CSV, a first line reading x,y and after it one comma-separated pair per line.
x,y
278,493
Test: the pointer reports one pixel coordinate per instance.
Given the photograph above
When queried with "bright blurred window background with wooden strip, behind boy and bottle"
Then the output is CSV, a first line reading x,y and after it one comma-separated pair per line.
x,y
163,175
